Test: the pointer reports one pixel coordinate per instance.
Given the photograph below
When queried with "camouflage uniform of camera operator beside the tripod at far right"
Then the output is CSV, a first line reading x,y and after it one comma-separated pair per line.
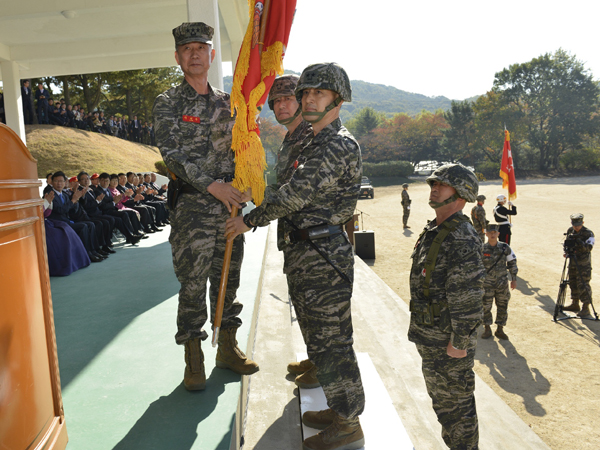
x,y
579,280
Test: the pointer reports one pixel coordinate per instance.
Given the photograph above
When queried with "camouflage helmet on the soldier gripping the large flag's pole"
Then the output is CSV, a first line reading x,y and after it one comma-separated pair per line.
x,y
329,76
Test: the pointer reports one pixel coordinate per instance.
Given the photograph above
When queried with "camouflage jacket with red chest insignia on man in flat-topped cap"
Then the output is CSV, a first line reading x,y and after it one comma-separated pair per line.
x,y
193,133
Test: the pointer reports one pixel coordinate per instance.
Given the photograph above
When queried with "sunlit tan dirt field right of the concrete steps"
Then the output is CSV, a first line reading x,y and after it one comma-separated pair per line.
x,y
548,372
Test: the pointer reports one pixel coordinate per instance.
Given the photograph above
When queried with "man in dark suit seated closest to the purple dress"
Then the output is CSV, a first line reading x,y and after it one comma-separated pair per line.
x,y
62,205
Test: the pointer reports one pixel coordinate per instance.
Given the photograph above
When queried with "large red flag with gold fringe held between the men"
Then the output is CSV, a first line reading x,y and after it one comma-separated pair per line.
x,y
260,59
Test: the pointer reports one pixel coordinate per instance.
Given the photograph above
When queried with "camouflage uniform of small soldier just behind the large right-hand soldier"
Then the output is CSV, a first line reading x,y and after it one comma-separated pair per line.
x,y
496,280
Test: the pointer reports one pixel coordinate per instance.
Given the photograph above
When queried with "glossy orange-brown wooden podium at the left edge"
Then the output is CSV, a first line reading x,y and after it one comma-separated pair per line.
x,y
31,411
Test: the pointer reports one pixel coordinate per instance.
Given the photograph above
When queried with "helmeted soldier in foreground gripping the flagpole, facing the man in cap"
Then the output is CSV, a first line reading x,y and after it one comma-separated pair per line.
x,y
318,200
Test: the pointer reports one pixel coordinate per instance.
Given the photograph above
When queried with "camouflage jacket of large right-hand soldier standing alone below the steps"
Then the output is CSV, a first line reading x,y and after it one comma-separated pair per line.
x,y
456,285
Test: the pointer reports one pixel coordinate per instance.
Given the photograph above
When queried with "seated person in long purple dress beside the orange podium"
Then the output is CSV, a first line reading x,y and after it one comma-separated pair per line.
x,y
66,253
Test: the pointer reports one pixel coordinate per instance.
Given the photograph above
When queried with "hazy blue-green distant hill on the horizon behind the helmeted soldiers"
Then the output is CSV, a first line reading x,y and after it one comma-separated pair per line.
x,y
386,99
